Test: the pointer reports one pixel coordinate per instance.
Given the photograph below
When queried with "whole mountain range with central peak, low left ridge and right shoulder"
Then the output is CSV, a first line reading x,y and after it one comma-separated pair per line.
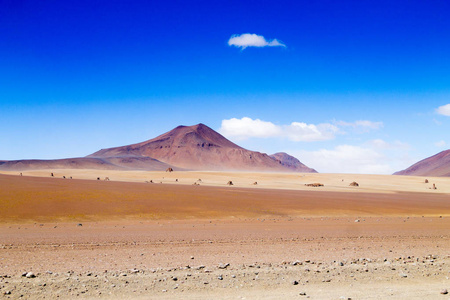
x,y
196,147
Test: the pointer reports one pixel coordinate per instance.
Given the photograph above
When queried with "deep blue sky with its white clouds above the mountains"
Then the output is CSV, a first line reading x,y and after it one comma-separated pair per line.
x,y
345,86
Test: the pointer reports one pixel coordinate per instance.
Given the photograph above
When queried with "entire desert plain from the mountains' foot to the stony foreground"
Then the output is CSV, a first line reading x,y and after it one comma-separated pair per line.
x,y
190,235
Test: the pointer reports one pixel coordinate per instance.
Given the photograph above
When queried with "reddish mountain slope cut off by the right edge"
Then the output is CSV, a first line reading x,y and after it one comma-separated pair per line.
x,y
436,165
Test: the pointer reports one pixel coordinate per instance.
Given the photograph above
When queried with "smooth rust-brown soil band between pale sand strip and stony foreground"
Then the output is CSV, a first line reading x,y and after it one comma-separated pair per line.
x,y
26,198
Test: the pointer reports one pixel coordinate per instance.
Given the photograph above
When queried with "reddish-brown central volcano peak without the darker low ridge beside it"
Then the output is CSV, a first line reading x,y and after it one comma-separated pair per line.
x,y
198,147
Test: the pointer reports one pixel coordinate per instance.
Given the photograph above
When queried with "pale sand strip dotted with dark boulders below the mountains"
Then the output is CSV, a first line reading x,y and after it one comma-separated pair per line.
x,y
294,181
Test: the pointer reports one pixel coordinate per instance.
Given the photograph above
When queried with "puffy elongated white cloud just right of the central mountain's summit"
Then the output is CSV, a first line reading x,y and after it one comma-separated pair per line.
x,y
296,131
